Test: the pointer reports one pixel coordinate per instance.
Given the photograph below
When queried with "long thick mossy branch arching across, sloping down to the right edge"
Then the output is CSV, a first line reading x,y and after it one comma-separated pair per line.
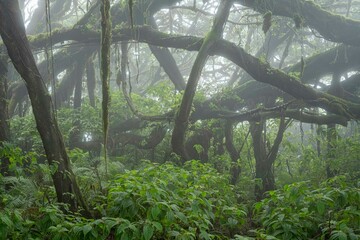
x,y
259,70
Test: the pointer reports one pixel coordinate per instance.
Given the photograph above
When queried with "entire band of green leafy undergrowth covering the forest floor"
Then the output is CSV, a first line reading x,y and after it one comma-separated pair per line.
x,y
164,201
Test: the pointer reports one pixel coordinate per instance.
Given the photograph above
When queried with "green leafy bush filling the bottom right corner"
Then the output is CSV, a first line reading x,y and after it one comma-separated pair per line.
x,y
302,211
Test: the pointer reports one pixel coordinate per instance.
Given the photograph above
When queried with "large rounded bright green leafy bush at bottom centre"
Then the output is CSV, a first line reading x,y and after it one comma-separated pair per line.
x,y
194,202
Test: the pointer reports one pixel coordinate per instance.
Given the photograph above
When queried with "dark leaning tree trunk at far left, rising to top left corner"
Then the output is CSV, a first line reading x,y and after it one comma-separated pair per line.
x,y
13,34
